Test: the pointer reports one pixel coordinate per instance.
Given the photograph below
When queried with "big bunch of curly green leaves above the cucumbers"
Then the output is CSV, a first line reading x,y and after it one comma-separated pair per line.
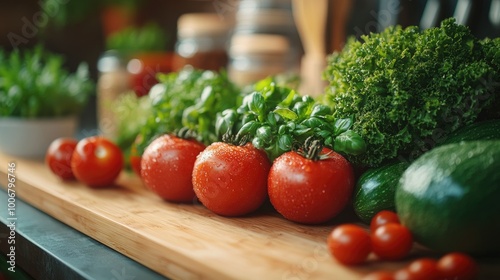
x,y
406,89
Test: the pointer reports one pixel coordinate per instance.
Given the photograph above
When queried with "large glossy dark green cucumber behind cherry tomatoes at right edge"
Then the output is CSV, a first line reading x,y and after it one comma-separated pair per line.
x,y
449,198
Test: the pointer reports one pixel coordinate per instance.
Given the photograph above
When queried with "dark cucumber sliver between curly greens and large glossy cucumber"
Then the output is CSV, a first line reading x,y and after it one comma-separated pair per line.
x,y
486,130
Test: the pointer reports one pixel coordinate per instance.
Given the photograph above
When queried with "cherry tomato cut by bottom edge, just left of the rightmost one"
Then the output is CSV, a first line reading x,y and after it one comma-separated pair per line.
x,y
420,269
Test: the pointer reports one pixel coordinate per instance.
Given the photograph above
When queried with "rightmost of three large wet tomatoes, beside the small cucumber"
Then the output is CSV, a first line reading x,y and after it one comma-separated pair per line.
x,y
307,191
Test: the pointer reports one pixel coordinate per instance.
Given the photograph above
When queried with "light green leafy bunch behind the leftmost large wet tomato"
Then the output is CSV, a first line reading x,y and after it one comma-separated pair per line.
x,y
188,101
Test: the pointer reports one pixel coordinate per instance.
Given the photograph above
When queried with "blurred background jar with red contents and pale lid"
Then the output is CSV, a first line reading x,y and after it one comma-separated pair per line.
x,y
201,41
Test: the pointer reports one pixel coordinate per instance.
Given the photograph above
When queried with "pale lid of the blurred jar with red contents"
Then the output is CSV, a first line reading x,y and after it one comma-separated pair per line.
x,y
195,24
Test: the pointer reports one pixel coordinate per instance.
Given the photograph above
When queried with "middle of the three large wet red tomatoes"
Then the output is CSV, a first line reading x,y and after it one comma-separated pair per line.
x,y
231,180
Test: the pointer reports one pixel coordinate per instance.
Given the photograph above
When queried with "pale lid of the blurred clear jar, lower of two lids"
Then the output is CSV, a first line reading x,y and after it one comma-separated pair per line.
x,y
258,44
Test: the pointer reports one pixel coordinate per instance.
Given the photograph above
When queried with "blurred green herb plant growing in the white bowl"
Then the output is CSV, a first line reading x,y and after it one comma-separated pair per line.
x,y
34,83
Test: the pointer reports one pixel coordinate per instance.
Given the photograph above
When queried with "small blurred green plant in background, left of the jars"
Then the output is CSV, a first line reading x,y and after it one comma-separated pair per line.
x,y
147,38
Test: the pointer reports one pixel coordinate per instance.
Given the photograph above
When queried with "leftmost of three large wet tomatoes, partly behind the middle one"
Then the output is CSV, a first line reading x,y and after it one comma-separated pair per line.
x,y
167,167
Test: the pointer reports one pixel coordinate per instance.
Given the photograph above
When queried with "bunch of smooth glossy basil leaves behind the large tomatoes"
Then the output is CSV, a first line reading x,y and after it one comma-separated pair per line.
x,y
276,119
